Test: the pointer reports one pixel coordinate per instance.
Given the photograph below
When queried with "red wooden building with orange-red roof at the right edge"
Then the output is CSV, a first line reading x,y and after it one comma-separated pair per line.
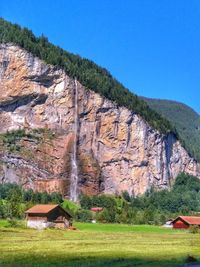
x,y
184,222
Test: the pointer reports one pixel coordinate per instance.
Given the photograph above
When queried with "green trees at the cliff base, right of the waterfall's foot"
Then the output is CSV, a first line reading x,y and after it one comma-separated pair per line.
x,y
154,207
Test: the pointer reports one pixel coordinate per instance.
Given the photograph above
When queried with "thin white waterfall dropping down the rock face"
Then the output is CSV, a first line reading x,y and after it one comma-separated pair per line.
x,y
74,167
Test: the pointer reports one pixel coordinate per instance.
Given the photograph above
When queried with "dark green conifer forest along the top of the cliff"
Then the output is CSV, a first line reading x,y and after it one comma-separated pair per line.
x,y
87,72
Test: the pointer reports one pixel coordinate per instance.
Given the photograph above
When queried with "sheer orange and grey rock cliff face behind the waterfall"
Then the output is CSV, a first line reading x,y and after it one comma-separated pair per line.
x,y
116,149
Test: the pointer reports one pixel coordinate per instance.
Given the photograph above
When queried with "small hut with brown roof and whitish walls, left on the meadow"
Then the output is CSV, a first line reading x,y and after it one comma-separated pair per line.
x,y
43,216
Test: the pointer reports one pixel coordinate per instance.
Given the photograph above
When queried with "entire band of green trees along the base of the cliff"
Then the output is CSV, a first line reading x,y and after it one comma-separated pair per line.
x,y
154,207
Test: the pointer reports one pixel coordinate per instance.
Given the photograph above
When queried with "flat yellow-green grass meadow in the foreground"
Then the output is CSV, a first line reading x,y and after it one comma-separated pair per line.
x,y
97,245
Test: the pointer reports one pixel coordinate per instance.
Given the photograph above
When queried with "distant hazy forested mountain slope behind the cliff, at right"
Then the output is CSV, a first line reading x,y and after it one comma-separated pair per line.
x,y
183,118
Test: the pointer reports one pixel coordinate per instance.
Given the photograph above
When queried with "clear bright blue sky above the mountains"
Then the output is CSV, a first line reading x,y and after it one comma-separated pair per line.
x,y
151,46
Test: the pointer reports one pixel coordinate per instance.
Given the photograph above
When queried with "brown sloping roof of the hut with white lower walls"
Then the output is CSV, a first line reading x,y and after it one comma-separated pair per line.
x,y
45,208
